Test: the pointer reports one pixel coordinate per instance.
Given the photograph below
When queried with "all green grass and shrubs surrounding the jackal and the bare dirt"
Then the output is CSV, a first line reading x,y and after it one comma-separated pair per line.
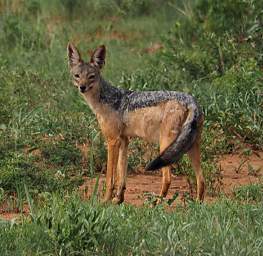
x,y
212,49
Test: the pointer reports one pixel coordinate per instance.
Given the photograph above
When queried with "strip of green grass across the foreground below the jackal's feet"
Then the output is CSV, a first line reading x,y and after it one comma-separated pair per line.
x,y
63,227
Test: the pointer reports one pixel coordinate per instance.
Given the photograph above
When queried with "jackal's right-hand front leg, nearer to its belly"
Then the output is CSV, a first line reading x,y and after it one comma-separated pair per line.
x,y
121,172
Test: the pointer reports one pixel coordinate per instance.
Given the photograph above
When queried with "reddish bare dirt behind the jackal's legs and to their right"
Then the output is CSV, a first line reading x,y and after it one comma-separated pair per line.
x,y
235,170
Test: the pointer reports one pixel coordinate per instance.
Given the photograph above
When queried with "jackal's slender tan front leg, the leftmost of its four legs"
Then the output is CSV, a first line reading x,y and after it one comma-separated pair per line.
x,y
113,152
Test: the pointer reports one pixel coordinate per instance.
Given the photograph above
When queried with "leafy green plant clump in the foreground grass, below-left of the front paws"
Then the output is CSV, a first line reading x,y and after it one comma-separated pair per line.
x,y
75,228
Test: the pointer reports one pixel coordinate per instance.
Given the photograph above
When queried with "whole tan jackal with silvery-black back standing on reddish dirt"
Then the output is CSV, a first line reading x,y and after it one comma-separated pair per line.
x,y
171,118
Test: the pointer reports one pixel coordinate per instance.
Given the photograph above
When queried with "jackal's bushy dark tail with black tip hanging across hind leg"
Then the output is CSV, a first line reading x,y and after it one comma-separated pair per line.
x,y
181,145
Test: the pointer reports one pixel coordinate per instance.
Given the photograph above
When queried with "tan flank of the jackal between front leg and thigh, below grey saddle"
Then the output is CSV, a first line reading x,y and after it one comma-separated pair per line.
x,y
144,123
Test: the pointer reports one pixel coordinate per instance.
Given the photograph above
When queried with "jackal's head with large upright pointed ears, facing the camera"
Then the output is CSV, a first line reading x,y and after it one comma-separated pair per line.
x,y
86,75
